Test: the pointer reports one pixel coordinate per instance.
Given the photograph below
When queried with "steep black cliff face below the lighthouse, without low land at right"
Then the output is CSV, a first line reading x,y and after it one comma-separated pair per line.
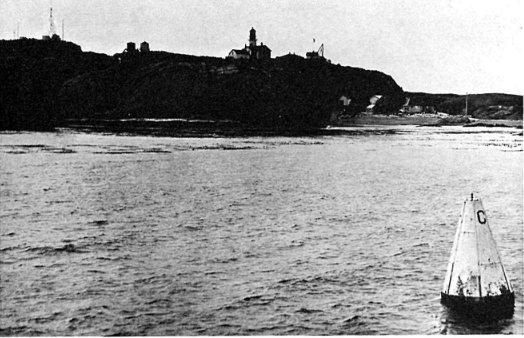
x,y
49,81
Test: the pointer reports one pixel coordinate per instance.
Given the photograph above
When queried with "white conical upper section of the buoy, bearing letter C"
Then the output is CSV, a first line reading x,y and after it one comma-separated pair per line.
x,y
475,268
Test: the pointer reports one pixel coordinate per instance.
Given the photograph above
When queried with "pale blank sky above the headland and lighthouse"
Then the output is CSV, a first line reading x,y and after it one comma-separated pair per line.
x,y
432,46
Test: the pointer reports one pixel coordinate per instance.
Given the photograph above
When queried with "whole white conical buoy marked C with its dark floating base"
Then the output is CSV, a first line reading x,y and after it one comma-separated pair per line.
x,y
476,281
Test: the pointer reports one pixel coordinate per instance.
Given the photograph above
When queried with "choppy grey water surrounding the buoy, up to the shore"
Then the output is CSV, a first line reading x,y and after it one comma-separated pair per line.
x,y
105,235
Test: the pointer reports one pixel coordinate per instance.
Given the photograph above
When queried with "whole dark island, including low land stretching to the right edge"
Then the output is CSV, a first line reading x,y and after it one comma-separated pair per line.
x,y
52,83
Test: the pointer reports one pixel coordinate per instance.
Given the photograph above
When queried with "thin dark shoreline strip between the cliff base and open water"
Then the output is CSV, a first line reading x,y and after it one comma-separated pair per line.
x,y
226,129
